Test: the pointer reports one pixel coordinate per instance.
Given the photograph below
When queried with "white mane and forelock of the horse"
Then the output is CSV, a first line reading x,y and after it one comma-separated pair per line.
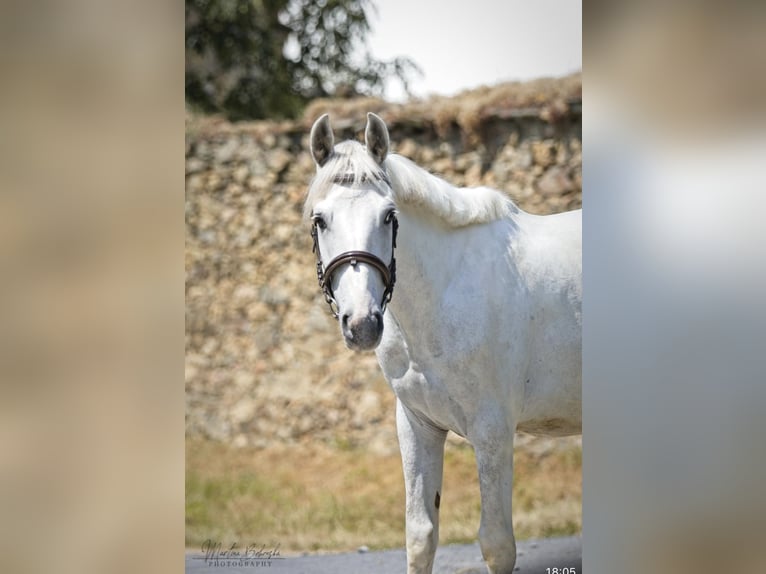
x,y
410,185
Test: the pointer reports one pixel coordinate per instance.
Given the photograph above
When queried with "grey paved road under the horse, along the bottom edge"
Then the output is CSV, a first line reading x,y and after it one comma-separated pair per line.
x,y
533,557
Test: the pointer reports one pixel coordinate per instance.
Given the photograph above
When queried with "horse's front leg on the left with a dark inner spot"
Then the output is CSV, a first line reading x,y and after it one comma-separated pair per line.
x,y
422,448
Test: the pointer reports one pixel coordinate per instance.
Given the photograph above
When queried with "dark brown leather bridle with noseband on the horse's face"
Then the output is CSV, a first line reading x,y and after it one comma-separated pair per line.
x,y
387,272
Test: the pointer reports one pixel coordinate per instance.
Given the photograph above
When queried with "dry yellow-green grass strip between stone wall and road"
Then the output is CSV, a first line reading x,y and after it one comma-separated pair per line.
x,y
316,498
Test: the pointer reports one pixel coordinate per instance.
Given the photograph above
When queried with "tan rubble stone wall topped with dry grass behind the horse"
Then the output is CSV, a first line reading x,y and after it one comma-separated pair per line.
x,y
265,362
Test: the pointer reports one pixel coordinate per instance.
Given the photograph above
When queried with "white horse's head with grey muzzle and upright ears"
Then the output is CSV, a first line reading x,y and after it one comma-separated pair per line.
x,y
354,229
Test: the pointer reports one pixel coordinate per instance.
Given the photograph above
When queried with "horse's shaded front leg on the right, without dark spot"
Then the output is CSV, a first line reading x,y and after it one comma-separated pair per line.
x,y
494,459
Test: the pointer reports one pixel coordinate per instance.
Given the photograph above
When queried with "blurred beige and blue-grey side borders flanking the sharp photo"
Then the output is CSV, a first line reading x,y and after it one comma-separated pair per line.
x,y
91,220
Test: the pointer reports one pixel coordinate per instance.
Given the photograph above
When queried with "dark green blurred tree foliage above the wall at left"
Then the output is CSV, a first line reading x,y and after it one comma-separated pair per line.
x,y
253,59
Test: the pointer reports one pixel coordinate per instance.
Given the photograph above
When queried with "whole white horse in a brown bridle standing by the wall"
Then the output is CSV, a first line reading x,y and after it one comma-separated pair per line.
x,y
483,334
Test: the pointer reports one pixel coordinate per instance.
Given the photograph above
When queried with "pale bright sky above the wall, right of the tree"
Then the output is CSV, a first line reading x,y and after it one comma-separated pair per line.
x,y
461,44
